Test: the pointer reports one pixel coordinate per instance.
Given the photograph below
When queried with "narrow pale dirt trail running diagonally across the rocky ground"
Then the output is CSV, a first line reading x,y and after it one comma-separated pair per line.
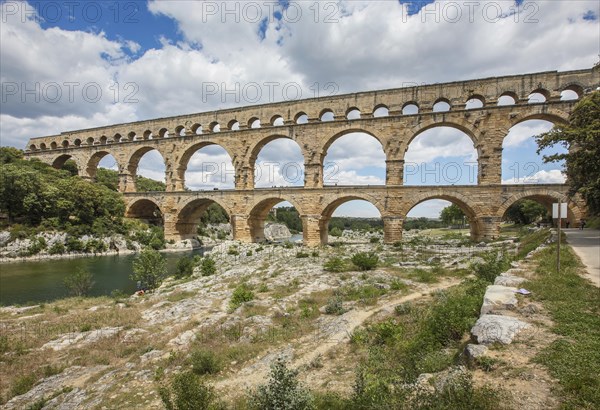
x,y
305,349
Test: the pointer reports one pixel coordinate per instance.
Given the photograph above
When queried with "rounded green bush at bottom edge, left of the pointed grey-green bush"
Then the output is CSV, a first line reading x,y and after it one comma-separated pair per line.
x,y
187,392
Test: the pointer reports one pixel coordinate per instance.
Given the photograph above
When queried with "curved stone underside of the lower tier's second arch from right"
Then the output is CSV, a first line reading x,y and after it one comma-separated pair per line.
x,y
472,211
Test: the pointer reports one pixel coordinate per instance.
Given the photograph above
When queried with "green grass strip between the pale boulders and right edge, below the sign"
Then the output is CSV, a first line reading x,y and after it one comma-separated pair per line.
x,y
574,305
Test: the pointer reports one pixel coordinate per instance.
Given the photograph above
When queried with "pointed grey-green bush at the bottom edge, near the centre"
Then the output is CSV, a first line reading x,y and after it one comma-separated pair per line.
x,y
283,391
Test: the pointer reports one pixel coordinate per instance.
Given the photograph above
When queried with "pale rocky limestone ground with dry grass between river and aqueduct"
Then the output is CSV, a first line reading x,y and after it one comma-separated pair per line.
x,y
105,353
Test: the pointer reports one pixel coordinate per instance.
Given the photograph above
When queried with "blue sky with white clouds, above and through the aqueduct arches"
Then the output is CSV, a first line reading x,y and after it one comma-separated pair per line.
x,y
168,49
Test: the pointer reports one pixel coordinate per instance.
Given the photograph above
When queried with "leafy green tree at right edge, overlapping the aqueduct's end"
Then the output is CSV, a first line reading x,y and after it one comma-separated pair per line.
x,y
581,137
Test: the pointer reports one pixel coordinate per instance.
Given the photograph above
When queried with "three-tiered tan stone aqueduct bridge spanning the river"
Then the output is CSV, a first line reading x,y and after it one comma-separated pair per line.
x,y
178,138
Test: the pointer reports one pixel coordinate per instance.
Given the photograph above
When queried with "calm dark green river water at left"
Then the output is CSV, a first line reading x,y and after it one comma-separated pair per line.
x,y
42,281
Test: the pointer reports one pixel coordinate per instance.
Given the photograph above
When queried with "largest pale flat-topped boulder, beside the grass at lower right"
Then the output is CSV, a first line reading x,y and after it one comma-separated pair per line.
x,y
497,328
